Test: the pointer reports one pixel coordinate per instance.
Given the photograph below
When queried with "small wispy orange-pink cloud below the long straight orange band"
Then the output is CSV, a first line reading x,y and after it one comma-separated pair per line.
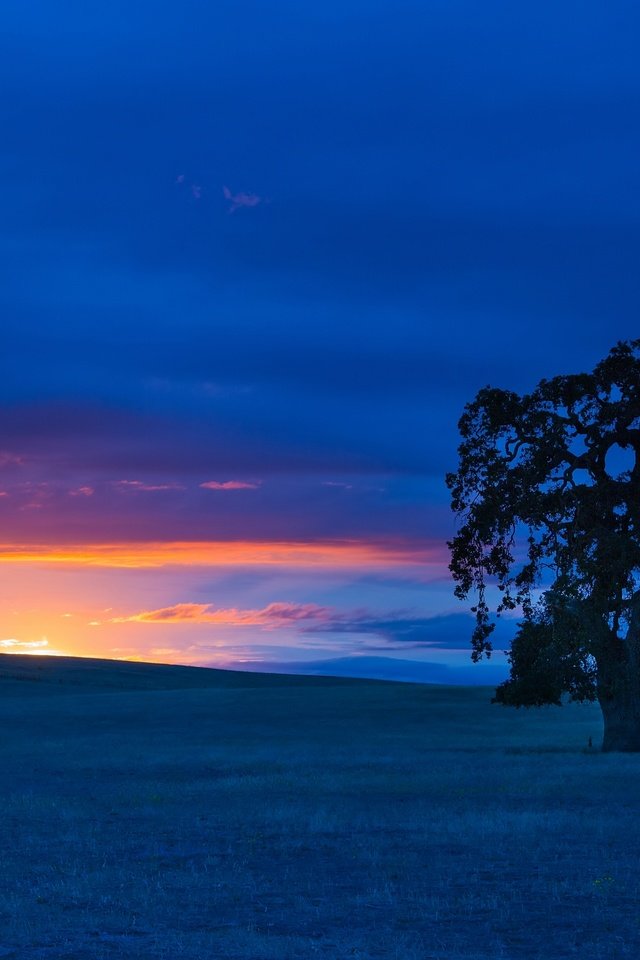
x,y
274,615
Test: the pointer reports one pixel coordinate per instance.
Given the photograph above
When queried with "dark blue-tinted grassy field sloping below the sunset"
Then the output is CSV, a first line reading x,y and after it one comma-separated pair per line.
x,y
165,812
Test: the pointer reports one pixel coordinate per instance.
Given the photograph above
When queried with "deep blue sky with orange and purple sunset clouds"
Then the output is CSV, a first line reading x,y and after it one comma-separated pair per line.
x,y
255,260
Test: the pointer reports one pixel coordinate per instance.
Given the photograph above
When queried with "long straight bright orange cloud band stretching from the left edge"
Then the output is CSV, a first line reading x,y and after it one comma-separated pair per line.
x,y
341,554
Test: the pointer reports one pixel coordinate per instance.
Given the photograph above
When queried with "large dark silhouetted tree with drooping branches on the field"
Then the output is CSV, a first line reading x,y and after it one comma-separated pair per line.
x,y
548,491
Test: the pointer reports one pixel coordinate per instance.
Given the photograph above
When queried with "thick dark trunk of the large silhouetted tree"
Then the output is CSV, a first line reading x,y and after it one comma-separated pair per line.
x,y
619,688
